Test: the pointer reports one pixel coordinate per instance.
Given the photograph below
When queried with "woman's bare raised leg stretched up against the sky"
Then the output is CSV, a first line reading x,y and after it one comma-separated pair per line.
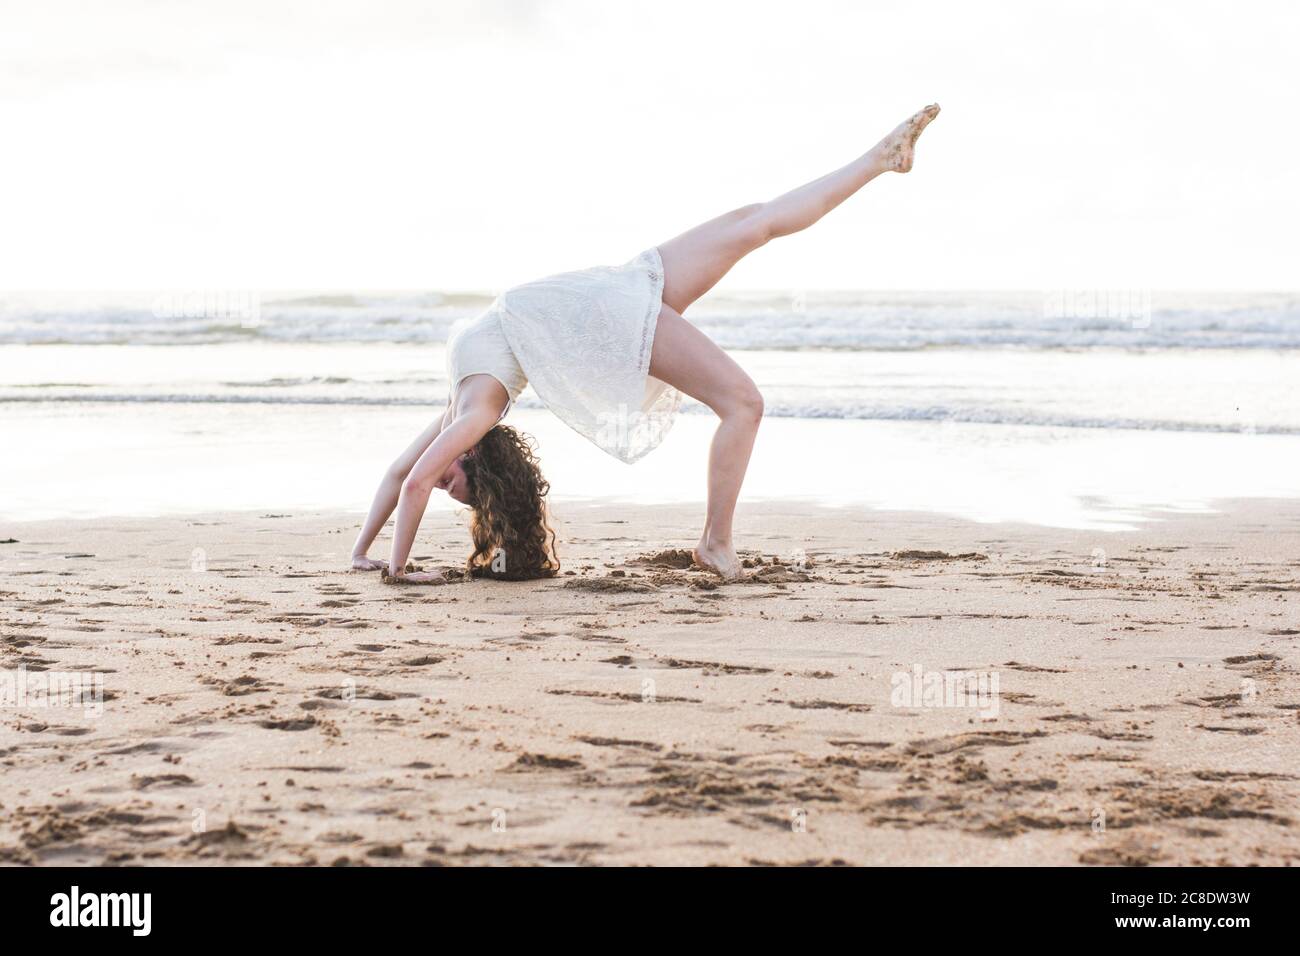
x,y
696,261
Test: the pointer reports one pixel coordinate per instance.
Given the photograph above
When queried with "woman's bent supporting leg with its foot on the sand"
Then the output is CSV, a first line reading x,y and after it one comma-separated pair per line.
x,y
686,358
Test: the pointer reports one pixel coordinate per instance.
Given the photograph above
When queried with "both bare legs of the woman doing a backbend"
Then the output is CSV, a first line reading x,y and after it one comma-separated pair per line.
x,y
688,361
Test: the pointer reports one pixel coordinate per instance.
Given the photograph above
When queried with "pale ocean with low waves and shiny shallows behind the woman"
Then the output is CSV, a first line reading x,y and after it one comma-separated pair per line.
x,y
1078,409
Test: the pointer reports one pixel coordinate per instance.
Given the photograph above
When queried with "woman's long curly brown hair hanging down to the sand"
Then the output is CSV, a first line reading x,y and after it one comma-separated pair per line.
x,y
513,538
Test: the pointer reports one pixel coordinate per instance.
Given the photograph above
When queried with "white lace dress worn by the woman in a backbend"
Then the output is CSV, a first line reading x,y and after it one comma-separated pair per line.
x,y
583,340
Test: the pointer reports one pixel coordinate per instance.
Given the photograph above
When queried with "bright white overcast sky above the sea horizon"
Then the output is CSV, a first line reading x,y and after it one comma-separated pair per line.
x,y
474,145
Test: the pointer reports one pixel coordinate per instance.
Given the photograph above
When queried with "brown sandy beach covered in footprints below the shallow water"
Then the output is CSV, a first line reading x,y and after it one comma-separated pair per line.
x,y
262,704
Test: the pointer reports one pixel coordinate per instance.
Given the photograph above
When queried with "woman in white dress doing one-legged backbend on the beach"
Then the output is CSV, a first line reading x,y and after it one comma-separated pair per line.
x,y
609,353
